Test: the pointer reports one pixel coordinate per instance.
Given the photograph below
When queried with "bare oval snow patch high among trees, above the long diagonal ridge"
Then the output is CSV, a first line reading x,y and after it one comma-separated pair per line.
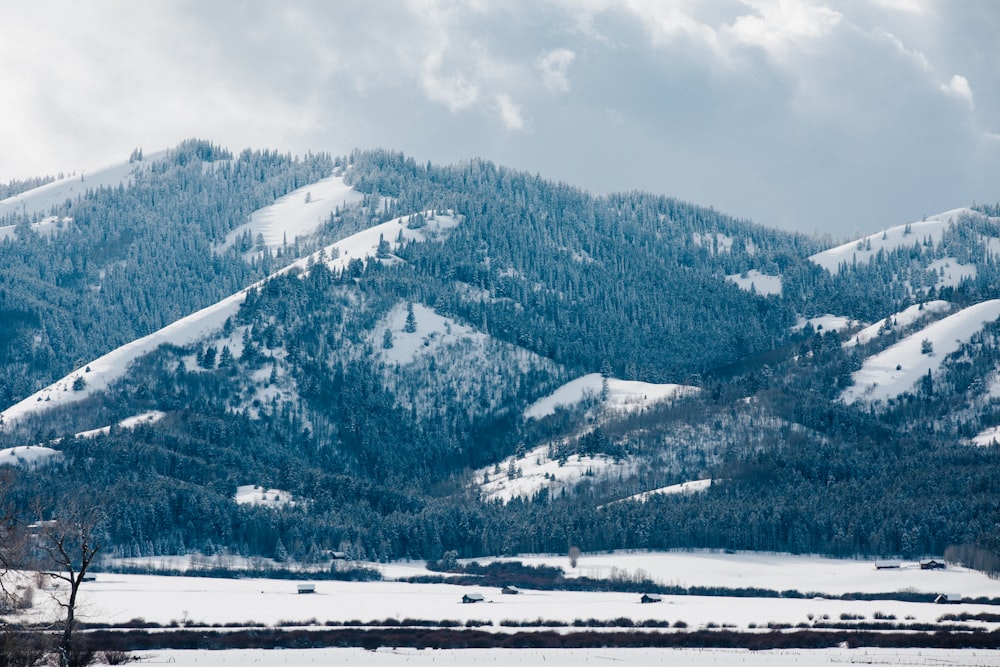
x,y
293,216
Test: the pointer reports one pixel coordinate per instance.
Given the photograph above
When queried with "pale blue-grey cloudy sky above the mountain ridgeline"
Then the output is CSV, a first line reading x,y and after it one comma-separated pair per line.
x,y
828,117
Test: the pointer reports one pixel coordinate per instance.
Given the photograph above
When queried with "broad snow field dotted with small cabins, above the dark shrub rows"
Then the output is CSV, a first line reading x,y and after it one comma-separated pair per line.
x,y
117,598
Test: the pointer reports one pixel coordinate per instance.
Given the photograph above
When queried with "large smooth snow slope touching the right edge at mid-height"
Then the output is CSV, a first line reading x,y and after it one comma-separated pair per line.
x,y
898,368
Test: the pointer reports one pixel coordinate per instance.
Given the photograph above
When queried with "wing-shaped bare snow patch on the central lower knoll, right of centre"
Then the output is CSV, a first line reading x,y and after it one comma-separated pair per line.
x,y
623,395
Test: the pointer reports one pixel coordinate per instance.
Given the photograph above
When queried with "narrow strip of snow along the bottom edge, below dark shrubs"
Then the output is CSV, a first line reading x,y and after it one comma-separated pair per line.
x,y
637,657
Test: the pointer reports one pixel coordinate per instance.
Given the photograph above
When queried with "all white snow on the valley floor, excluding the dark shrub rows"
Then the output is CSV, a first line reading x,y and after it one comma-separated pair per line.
x,y
191,601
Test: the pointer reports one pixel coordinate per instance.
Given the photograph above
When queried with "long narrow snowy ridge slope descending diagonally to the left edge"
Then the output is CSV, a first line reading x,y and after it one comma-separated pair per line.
x,y
103,371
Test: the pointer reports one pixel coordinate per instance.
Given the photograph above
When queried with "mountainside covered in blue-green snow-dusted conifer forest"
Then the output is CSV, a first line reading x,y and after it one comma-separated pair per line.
x,y
381,387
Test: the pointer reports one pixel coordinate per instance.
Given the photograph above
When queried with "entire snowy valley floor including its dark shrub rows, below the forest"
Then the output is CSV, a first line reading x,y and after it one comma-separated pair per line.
x,y
158,615
